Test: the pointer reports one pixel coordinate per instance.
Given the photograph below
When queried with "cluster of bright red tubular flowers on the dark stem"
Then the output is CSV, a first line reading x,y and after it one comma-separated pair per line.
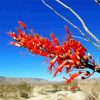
x,y
71,54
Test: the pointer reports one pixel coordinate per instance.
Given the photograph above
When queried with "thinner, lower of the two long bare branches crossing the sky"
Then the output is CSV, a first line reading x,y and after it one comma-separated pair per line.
x,y
76,27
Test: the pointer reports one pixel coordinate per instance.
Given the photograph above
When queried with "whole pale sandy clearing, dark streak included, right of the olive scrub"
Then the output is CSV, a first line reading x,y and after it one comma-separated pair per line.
x,y
50,93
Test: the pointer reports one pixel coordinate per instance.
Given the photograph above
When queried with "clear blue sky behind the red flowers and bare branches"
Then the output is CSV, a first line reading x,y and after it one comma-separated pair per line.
x,y
37,16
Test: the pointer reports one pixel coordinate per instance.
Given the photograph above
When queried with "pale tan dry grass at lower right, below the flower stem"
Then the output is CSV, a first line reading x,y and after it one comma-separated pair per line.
x,y
91,87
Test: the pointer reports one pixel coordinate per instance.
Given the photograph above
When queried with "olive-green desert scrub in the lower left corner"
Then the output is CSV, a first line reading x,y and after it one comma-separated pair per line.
x,y
16,91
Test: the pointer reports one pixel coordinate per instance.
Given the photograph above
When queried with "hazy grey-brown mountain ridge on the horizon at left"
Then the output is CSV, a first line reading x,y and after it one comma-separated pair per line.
x,y
11,80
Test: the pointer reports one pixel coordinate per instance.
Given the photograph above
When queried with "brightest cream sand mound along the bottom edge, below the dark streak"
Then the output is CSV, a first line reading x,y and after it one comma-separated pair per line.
x,y
61,95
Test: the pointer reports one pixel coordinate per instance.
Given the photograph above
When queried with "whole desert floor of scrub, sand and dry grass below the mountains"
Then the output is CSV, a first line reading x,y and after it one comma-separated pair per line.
x,y
86,90
